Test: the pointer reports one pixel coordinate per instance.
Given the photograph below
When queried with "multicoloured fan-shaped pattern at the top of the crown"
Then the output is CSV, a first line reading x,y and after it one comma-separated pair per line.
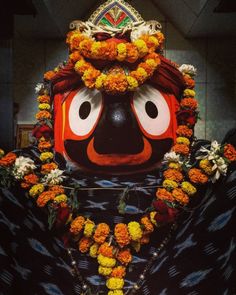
x,y
115,13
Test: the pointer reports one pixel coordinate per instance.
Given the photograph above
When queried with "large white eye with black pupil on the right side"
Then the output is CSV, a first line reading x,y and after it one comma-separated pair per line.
x,y
152,110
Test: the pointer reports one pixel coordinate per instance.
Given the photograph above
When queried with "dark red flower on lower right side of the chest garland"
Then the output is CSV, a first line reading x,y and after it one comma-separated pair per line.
x,y
165,214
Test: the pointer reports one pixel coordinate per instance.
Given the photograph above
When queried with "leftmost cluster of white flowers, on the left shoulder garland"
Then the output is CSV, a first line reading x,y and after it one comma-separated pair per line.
x,y
23,166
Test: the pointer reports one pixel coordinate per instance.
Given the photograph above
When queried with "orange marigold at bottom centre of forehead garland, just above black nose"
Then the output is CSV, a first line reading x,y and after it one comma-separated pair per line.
x,y
116,83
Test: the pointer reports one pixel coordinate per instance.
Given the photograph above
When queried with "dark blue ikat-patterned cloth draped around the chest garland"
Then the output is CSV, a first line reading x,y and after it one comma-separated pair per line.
x,y
200,258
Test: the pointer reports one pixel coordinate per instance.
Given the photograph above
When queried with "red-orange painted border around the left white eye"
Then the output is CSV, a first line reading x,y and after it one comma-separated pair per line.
x,y
68,132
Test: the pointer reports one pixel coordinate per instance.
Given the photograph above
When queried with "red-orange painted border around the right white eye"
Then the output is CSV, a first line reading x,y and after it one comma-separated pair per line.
x,y
169,131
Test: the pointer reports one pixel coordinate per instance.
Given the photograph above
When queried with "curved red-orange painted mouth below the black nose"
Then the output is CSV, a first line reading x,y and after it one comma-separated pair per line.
x,y
119,159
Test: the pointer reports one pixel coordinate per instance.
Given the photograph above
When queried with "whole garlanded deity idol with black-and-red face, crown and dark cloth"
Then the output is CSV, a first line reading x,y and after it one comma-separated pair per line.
x,y
141,206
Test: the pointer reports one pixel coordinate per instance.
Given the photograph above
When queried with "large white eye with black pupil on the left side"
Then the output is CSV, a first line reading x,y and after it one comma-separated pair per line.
x,y
84,111
